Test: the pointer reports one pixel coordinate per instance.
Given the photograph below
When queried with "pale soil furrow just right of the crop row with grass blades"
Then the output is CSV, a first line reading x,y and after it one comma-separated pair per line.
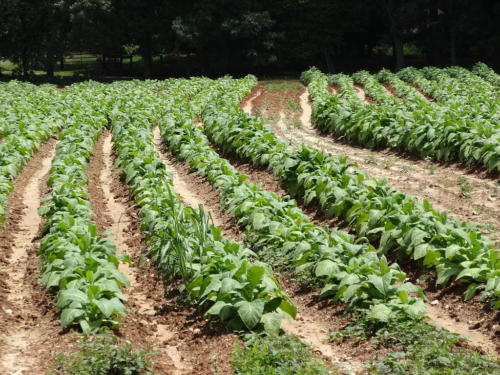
x,y
313,327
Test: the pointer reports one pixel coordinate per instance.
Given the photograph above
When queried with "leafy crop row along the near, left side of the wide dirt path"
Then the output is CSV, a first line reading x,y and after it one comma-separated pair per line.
x,y
389,218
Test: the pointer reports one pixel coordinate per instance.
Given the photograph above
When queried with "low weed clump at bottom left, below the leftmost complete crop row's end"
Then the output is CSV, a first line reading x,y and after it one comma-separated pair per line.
x,y
102,355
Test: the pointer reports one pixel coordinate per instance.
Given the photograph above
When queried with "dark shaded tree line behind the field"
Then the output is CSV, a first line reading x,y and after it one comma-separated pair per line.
x,y
219,36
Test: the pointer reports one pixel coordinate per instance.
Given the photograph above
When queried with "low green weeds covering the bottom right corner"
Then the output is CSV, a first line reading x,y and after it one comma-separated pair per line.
x,y
418,348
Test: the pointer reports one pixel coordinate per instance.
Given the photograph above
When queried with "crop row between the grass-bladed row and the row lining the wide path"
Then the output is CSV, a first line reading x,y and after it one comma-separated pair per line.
x,y
279,232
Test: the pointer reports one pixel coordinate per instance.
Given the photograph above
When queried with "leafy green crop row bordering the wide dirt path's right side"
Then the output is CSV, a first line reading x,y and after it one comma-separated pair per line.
x,y
425,130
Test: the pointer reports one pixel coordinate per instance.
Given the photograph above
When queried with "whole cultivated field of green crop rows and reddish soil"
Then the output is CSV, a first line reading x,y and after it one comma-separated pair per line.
x,y
334,224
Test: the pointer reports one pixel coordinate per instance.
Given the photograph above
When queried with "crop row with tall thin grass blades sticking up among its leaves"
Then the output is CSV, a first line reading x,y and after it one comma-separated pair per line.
x,y
217,274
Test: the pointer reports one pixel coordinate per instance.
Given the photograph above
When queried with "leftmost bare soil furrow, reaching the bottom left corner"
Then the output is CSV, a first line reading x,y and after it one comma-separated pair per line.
x,y
29,324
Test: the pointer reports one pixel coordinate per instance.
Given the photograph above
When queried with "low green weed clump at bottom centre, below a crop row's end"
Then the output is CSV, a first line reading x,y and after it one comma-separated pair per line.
x,y
276,355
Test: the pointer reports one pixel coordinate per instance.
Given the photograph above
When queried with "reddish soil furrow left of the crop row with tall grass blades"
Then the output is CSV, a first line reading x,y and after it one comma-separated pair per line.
x,y
184,342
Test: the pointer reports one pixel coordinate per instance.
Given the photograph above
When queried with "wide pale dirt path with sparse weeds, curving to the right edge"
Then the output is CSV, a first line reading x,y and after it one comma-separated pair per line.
x,y
472,197
